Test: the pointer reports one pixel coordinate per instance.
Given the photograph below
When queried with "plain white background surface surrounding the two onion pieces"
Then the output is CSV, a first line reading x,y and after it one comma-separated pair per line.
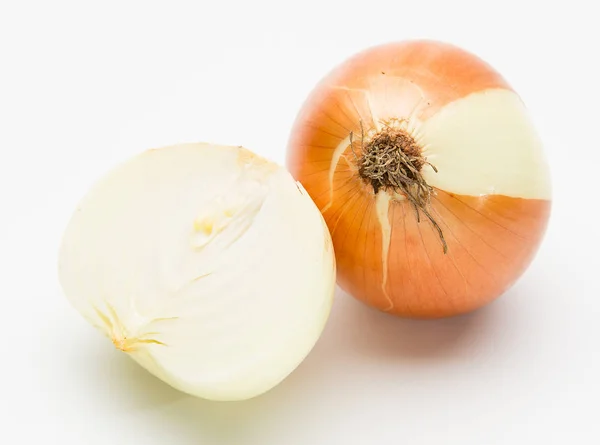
x,y
85,85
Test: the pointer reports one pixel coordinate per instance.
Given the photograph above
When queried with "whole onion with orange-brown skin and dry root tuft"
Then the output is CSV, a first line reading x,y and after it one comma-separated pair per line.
x,y
430,176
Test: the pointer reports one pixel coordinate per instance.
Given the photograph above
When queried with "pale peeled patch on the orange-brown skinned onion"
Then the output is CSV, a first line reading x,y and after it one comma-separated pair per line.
x,y
485,143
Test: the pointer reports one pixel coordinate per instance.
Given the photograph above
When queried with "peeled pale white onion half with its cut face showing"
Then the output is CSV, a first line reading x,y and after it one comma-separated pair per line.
x,y
208,265
